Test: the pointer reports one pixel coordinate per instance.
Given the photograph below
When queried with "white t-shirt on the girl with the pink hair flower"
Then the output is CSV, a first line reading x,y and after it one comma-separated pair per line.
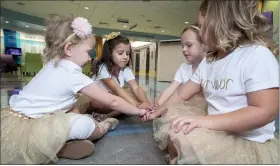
x,y
52,89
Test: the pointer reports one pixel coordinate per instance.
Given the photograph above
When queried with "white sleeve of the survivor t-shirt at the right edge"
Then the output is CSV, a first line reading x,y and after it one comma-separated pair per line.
x,y
261,71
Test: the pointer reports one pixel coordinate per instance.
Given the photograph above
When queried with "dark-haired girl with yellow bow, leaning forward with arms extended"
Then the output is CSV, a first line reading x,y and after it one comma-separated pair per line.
x,y
112,71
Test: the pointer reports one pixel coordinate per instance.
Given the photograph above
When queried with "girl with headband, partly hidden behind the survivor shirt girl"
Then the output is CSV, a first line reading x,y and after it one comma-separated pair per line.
x,y
194,51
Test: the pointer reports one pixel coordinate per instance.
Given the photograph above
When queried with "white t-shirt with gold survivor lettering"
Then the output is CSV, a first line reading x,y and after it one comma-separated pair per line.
x,y
226,82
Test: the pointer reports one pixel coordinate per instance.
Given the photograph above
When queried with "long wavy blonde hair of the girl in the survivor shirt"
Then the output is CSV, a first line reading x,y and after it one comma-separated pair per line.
x,y
232,23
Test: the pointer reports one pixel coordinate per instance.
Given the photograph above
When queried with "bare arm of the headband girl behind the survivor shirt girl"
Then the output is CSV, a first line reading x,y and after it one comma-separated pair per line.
x,y
165,95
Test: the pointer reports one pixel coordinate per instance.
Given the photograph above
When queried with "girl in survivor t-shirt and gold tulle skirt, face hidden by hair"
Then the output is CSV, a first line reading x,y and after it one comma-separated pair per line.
x,y
240,81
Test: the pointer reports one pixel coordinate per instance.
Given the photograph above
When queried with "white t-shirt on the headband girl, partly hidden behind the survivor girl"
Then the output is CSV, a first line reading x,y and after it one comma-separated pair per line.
x,y
184,73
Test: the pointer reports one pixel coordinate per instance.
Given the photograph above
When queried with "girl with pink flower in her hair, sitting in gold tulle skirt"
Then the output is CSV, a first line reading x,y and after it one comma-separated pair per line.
x,y
42,119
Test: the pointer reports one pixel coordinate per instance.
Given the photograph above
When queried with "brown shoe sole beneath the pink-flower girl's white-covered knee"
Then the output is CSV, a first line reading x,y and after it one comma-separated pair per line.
x,y
77,149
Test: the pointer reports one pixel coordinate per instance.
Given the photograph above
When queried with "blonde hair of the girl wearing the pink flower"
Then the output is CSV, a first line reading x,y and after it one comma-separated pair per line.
x,y
58,33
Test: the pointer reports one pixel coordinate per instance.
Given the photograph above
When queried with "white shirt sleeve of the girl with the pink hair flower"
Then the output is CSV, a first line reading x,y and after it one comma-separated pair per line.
x,y
78,81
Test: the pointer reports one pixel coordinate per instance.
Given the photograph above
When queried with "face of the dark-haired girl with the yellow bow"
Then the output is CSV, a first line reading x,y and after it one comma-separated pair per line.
x,y
120,55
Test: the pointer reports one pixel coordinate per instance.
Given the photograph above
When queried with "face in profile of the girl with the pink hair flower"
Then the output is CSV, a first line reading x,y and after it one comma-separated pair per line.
x,y
81,51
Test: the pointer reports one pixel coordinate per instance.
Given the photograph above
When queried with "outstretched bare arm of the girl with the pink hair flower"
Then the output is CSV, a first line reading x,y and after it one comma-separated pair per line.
x,y
114,102
